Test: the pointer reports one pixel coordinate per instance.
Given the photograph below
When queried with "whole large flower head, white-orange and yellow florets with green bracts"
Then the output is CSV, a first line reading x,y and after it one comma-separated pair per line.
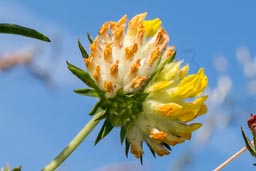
x,y
140,87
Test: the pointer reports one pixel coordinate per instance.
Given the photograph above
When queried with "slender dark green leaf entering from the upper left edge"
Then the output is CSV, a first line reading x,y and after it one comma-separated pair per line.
x,y
22,31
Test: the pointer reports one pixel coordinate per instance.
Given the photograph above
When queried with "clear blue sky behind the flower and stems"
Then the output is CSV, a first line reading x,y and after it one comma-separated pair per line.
x,y
37,121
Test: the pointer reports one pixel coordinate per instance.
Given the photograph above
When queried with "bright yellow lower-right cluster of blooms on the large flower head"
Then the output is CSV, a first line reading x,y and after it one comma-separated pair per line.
x,y
166,111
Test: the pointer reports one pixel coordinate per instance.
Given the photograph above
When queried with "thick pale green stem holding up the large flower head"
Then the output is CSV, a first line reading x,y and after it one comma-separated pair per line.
x,y
77,140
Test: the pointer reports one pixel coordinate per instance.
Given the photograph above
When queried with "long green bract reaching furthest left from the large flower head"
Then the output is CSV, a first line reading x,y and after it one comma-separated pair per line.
x,y
82,75
